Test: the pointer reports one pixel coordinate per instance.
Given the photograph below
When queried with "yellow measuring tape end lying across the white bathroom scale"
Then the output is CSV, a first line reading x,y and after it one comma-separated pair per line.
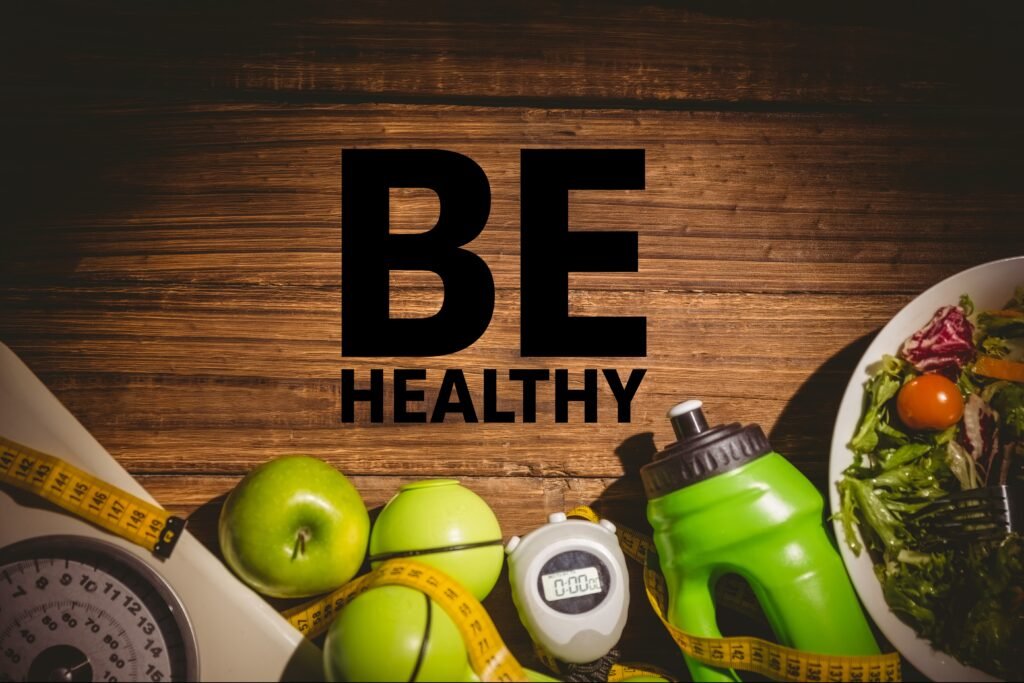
x,y
91,498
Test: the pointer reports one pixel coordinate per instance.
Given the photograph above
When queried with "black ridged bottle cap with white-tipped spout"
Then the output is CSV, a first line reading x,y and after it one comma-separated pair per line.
x,y
701,452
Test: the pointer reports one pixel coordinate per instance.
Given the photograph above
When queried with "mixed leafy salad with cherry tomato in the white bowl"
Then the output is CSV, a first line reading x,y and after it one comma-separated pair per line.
x,y
944,415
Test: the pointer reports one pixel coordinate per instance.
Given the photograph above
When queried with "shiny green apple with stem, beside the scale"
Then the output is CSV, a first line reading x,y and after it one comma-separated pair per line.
x,y
293,528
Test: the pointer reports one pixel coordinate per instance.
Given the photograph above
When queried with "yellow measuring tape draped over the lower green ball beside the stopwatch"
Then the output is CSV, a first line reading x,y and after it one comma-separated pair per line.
x,y
489,656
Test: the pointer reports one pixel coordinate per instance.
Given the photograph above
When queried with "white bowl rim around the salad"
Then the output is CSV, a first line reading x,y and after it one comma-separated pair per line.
x,y
991,286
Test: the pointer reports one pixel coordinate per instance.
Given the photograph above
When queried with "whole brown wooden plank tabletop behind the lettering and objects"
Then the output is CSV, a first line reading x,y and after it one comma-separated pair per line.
x,y
172,234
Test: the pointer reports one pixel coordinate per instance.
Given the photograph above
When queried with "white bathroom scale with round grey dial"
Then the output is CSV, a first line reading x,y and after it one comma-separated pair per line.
x,y
78,604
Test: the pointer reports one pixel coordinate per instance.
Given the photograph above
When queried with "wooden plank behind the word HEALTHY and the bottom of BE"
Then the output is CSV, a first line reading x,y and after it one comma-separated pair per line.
x,y
194,364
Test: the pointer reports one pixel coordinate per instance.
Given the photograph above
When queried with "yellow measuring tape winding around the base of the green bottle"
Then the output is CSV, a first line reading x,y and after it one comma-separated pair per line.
x,y
761,657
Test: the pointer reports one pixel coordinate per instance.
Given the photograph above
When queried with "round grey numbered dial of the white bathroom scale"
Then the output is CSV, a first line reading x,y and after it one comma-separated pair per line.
x,y
75,609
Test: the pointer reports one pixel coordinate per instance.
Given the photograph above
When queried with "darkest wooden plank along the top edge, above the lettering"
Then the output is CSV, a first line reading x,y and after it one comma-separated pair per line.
x,y
652,54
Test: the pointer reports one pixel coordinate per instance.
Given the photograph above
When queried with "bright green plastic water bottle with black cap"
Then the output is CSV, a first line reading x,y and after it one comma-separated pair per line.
x,y
721,501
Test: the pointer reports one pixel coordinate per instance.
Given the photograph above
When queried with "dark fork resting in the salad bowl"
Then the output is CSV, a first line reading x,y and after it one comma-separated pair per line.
x,y
978,515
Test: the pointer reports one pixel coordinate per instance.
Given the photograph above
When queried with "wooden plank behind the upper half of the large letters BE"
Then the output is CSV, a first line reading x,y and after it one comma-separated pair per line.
x,y
742,202
